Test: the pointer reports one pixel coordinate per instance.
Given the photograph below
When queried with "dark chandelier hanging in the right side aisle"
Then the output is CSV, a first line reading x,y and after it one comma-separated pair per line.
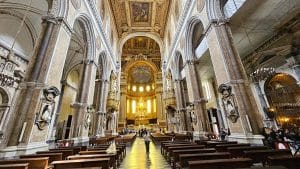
x,y
262,74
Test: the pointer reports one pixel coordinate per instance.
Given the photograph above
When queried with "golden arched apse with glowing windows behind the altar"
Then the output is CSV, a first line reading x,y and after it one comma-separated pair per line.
x,y
141,83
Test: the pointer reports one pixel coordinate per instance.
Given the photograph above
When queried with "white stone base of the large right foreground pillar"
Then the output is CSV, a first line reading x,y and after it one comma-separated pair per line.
x,y
242,138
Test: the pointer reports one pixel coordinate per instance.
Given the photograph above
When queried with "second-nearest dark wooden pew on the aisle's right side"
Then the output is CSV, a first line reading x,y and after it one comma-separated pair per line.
x,y
184,158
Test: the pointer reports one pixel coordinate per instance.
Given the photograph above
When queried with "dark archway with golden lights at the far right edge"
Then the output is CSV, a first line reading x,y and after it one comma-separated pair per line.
x,y
283,94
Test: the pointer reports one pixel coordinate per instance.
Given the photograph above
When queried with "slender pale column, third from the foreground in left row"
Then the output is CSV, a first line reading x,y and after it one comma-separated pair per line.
x,y
101,118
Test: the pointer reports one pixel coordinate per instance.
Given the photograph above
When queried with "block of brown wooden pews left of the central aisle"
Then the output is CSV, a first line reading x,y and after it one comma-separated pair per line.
x,y
94,157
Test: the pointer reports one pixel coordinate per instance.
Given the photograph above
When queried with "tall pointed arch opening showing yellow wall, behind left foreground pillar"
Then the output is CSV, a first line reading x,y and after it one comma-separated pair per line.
x,y
72,82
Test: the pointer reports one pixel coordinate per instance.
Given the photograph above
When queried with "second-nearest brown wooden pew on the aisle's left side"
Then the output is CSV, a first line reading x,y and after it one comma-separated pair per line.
x,y
112,162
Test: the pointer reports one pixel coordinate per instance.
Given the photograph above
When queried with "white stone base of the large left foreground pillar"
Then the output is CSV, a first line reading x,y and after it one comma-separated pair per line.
x,y
31,148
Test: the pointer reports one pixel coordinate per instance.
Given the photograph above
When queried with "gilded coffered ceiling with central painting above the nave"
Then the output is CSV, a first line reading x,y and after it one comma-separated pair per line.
x,y
140,15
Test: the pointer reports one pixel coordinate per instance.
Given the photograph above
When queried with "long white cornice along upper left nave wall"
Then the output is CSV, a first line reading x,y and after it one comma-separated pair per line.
x,y
99,25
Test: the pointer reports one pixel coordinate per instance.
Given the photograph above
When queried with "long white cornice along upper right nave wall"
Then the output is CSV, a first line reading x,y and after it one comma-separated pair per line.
x,y
180,25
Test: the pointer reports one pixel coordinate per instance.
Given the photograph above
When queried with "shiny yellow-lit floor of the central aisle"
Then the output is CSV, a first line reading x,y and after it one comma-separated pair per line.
x,y
137,158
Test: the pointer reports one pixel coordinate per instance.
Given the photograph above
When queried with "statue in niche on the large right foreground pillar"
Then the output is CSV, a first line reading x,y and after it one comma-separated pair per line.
x,y
229,103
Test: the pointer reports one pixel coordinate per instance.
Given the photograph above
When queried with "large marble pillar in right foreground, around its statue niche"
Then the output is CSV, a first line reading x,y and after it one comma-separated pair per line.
x,y
229,70
